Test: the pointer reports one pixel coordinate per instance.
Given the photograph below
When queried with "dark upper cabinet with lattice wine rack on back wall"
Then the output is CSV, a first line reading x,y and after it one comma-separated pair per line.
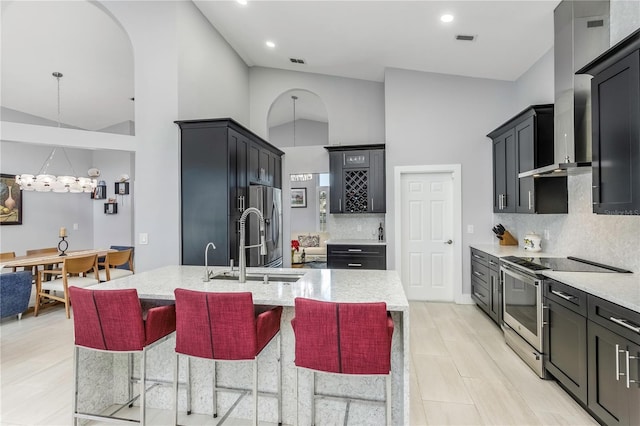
x,y
357,179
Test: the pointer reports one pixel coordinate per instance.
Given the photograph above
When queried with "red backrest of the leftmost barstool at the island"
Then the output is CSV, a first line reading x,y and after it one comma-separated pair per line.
x,y
107,319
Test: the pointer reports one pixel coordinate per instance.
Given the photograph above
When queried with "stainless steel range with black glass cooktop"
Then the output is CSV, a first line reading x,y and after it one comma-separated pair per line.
x,y
522,301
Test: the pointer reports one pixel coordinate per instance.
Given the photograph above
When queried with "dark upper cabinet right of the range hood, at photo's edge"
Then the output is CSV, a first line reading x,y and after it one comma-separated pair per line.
x,y
615,98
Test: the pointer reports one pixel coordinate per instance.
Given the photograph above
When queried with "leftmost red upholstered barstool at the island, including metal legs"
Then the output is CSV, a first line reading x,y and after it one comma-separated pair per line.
x,y
113,321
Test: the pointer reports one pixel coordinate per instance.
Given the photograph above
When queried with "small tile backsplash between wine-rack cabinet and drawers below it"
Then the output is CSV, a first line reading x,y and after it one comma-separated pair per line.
x,y
355,226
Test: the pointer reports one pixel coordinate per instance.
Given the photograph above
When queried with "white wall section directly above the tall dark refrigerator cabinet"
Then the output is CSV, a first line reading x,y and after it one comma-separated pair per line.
x,y
213,81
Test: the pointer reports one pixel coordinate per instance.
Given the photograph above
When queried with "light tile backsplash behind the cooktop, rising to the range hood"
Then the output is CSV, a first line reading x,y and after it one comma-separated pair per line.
x,y
612,240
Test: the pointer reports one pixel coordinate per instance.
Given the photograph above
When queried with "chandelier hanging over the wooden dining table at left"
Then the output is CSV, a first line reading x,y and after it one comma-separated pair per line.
x,y
44,182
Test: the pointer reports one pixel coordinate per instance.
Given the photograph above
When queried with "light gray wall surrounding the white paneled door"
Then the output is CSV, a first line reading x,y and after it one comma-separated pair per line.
x,y
442,119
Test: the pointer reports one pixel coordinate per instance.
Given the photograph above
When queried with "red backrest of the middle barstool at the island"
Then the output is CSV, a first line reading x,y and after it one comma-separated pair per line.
x,y
218,326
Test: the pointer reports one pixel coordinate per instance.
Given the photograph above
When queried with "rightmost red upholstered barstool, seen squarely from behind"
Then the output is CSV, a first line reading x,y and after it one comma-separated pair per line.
x,y
345,339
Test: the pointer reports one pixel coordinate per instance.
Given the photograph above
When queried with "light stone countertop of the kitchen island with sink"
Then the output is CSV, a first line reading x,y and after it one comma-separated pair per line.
x,y
336,285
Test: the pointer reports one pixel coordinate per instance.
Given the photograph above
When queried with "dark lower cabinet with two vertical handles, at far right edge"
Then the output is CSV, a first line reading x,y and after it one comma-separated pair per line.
x,y
614,357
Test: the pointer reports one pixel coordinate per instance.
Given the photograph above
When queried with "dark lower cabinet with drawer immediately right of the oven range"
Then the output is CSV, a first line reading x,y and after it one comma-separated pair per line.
x,y
565,337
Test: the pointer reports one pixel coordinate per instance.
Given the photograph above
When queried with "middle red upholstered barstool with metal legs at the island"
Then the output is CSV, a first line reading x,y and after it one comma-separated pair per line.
x,y
226,327
